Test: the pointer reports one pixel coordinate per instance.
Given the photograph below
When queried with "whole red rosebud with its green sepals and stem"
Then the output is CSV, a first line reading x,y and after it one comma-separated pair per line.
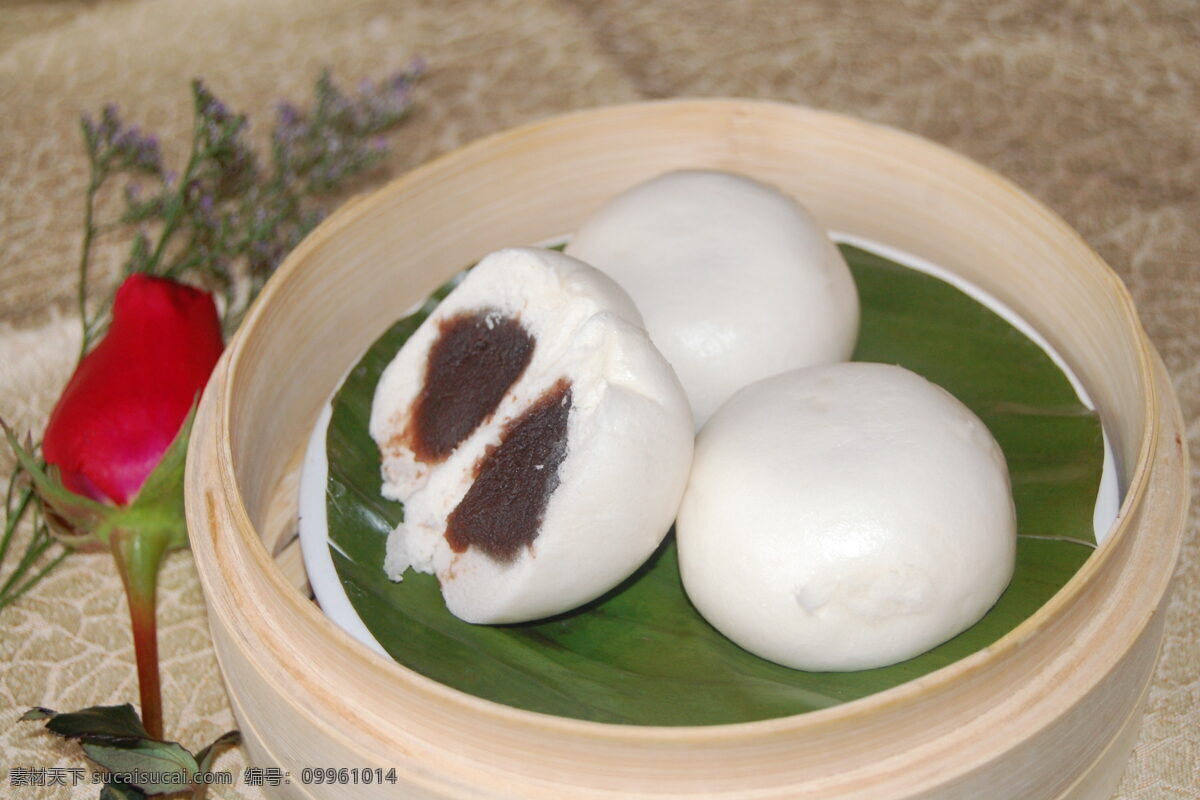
x,y
117,442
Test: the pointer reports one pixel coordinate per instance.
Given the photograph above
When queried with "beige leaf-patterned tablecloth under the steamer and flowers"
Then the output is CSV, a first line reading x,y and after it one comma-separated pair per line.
x,y
1091,106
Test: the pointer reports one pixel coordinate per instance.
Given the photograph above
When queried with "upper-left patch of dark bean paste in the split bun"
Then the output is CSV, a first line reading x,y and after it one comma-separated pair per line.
x,y
475,362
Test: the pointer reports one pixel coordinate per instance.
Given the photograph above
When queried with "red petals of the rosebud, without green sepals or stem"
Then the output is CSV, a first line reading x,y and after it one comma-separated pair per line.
x,y
129,398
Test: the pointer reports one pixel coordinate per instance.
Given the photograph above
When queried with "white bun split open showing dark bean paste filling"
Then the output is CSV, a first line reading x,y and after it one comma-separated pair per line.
x,y
538,440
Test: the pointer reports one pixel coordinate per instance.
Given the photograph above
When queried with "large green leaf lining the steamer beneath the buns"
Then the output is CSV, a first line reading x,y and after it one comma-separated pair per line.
x,y
641,654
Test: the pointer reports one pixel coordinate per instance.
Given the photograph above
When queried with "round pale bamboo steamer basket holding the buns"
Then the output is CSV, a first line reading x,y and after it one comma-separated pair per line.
x,y
1049,712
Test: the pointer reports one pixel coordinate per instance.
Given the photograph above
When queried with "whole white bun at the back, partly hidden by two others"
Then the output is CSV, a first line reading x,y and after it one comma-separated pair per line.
x,y
736,280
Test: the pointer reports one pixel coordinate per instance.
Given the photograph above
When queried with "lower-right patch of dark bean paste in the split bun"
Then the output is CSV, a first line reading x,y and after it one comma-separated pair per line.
x,y
503,510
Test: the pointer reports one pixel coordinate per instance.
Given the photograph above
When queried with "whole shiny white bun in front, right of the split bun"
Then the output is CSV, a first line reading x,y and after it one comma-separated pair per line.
x,y
845,518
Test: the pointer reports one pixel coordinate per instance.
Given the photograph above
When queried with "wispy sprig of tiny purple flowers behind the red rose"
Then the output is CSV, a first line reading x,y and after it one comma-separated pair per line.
x,y
224,221
